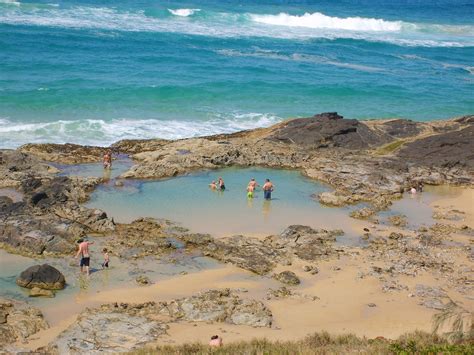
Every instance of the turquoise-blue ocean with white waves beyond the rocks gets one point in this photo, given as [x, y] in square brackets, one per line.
[94, 72]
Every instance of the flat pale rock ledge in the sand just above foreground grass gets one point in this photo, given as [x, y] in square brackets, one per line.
[124, 327]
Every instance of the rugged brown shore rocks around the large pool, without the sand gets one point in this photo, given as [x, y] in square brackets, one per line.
[364, 161]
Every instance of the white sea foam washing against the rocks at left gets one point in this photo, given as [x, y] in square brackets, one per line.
[103, 133]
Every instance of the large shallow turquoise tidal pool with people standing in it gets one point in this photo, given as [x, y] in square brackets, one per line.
[189, 201]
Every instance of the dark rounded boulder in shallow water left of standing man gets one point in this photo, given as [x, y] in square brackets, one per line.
[42, 276]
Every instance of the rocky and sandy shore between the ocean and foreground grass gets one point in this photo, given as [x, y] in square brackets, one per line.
[397, 281]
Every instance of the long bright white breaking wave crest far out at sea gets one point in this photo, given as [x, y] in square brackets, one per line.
[319, 20]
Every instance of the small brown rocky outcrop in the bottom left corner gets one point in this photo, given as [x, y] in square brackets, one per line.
[18, 322]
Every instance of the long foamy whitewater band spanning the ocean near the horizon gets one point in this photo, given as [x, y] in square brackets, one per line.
[227, 25]
